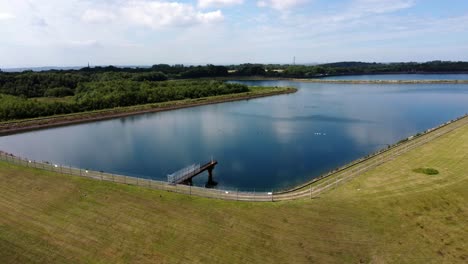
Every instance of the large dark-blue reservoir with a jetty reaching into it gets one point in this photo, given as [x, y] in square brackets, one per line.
[263, 143]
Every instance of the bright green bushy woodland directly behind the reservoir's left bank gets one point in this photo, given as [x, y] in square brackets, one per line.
[114, 93]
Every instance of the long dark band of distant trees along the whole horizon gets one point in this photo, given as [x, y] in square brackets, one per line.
[58, 83]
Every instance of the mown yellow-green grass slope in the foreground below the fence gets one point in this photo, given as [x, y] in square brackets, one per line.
[388, 215]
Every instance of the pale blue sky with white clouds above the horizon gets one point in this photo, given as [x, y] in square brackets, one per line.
[146, 32]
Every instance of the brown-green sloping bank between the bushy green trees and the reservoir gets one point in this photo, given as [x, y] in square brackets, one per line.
[21, 126]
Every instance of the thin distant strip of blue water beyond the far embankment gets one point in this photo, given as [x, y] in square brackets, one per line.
[401, 77]
